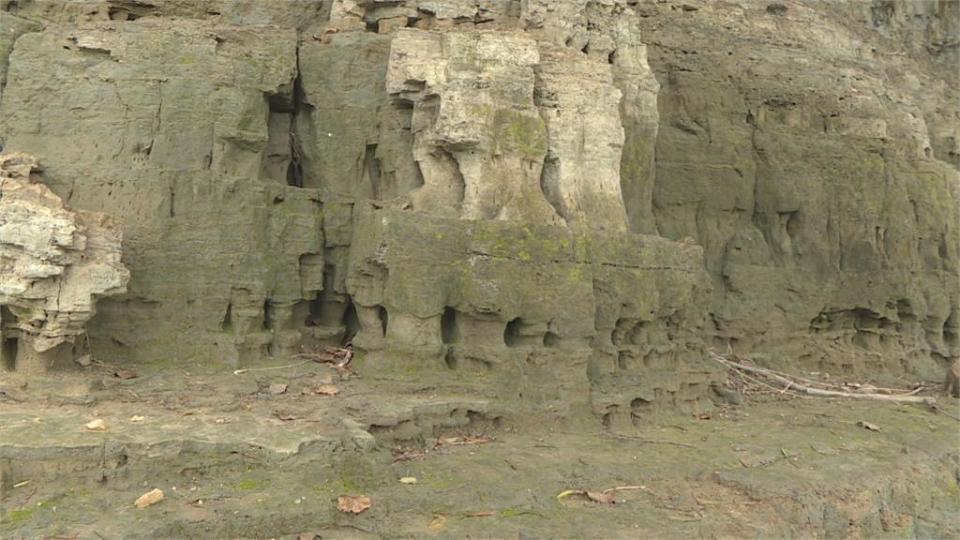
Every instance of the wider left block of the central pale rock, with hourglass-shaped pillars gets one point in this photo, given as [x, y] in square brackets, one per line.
[477, 135]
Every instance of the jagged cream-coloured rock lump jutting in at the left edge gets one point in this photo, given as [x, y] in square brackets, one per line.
[54, 263]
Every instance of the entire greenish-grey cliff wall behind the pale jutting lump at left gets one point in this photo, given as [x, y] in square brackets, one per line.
[562, 202]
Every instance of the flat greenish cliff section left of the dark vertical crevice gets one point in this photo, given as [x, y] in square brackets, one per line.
[176, 141]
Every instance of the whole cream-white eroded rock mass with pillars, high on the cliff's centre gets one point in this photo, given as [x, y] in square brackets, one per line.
[503, 123]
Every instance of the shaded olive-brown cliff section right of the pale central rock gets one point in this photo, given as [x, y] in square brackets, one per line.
[810, 147]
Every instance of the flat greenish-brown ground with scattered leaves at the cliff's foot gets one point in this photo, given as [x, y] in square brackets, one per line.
[237, 457]
